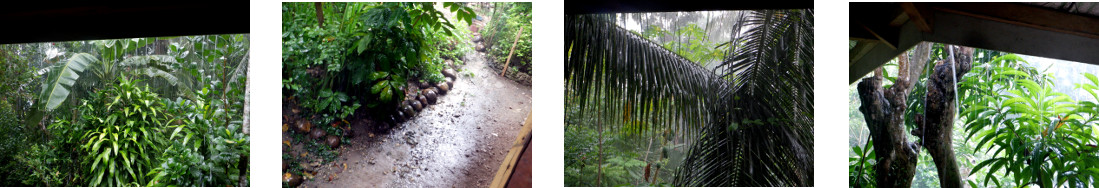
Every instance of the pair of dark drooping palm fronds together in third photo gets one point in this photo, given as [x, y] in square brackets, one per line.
[750, 125]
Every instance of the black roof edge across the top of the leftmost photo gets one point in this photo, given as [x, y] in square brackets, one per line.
[40, 21]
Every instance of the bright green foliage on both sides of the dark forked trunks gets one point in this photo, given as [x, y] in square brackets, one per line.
[1014, 129]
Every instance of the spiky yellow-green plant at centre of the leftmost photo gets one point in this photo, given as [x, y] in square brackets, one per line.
[123, 140]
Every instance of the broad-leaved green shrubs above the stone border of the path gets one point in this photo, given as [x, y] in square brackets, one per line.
[362, 56]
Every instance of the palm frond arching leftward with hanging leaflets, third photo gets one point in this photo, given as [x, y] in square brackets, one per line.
[649, 84]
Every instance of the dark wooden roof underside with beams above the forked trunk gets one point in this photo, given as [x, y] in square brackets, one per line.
[884, 30]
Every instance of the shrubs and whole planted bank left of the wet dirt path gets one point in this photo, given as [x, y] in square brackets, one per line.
[347, 62]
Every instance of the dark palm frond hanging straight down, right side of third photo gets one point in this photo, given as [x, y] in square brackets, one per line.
[771, 104]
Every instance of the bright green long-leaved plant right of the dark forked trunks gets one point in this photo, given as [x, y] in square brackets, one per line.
[1035, 135]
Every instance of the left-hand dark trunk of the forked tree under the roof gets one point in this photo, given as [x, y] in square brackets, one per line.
[884, 110]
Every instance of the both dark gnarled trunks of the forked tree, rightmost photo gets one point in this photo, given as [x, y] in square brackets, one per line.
[885, 116]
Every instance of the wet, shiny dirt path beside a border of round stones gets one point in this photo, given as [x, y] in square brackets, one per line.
[459, 142]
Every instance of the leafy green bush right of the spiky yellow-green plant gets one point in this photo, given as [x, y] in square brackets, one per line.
[201, 147]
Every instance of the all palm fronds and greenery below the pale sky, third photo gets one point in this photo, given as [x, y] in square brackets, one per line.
[641, 115]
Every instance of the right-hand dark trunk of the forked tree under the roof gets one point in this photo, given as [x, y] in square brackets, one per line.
[938, 125]
